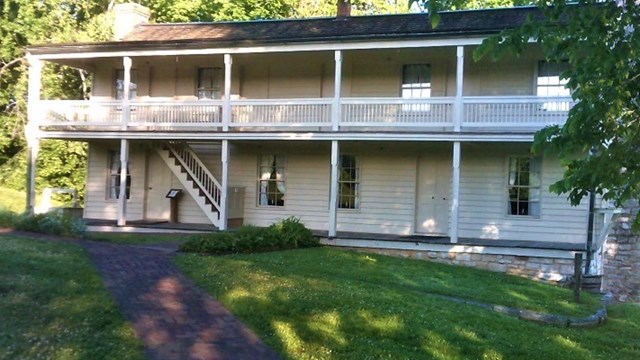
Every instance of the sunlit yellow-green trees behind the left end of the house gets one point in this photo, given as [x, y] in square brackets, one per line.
[24, 23]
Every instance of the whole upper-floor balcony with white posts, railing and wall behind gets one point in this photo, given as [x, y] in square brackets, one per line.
[417, 90]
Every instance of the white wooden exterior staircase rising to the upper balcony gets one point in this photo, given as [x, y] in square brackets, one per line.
[194, 176]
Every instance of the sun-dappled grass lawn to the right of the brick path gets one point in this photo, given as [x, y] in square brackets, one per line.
[326, 303]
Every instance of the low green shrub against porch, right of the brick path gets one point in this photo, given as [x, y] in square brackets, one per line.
[286, 234]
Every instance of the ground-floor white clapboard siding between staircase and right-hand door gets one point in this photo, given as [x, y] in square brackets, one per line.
[386, 203]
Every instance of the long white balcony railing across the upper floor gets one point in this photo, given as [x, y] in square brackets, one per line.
[364, 114]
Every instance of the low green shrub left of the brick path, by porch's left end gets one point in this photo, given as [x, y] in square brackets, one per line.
[53, 223]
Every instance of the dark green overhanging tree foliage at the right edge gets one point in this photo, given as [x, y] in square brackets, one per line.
[600, 142]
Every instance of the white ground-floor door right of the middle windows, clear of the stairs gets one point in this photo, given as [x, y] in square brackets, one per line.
[433, 190]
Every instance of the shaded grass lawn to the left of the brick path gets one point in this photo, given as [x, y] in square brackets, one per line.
[53, 306]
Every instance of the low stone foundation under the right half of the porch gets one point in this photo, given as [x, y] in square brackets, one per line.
[539, 268]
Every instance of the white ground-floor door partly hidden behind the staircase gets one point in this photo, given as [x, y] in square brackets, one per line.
[158, 185]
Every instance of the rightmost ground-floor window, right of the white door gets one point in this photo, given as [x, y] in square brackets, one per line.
[532, 188]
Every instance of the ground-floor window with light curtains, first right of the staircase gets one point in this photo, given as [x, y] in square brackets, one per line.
[271, 180]
